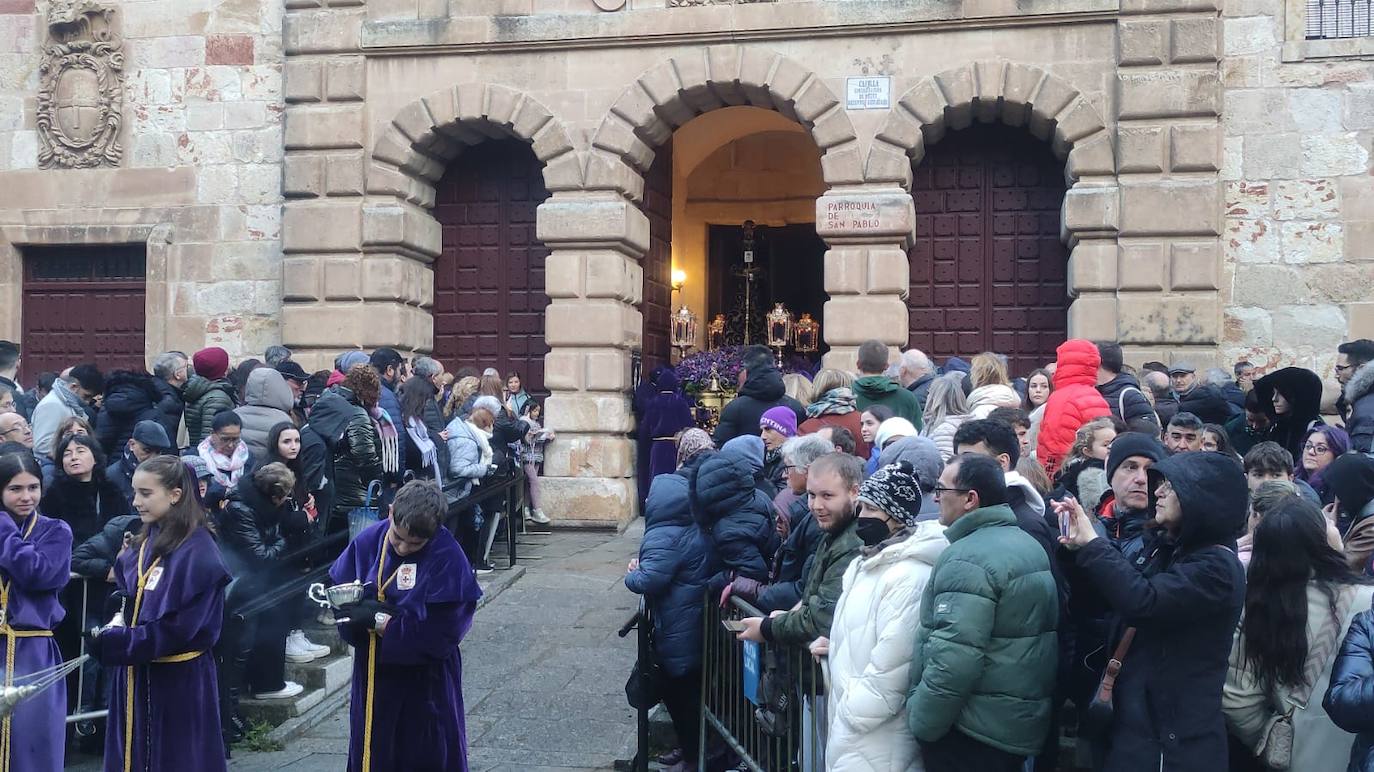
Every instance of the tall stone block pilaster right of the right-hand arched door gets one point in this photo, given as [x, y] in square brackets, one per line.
[1170, 156]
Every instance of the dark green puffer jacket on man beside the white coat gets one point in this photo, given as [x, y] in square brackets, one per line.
[987, 649]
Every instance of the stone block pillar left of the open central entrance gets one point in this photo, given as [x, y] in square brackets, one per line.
[594, 284]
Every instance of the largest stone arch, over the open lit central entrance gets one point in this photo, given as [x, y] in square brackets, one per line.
[677, 91]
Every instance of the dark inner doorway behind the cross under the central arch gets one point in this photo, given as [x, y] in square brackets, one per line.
[791, 262]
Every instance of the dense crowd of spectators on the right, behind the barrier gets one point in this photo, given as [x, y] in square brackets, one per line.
[1171, 565]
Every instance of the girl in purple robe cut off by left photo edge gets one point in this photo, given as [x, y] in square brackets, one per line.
[35, 565]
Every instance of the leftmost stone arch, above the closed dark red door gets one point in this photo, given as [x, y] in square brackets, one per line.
[417, 146]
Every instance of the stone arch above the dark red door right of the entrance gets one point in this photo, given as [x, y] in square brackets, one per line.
[1015, 94]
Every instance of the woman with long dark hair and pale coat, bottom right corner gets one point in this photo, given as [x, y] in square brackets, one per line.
[1300, 598]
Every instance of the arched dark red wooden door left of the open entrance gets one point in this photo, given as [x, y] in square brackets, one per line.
[490, 278]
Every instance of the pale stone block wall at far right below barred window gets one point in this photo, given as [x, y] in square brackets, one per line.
[1299, 198]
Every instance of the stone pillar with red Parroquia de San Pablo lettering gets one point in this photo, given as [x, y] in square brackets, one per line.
[868, 275]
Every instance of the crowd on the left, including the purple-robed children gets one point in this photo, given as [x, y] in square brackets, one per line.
[221, 484]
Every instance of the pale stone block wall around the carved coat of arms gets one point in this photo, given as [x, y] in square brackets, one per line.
[201, 167]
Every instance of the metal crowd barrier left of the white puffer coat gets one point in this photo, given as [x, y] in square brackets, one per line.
[784, 734]
